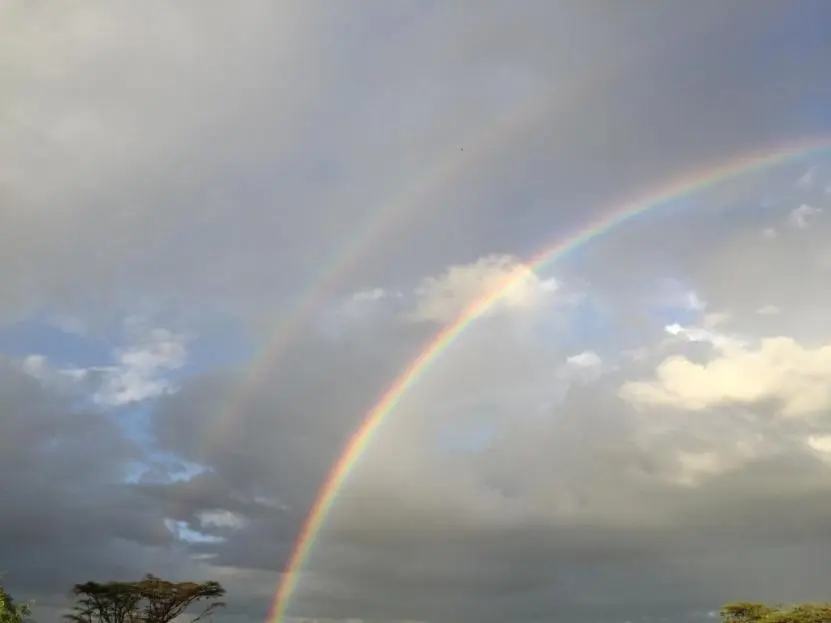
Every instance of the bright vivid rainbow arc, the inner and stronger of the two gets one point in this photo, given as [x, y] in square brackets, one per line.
[678, 187]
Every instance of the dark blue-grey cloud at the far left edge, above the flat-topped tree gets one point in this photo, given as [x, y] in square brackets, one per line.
[67, 516]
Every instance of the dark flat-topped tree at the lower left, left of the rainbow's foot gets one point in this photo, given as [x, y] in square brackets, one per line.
[149, 600]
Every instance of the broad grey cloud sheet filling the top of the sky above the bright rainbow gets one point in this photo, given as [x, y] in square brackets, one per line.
[236, 140]
